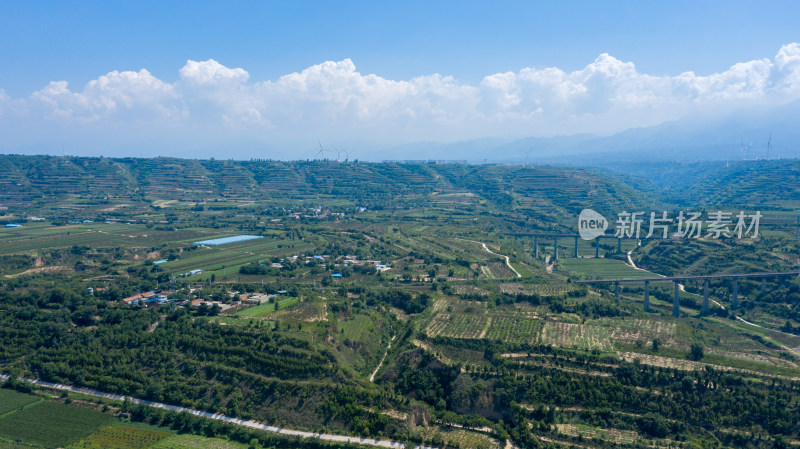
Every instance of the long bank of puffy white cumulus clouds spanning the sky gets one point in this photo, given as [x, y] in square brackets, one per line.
[334, 97]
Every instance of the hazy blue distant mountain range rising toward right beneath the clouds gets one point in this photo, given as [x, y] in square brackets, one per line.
[737, 136]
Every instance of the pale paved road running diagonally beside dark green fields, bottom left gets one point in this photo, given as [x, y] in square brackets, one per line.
[220, 417]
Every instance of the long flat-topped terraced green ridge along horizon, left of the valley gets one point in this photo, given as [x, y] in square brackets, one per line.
[79, 182]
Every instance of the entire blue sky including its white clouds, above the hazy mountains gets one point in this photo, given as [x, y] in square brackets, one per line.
[405, 45]
